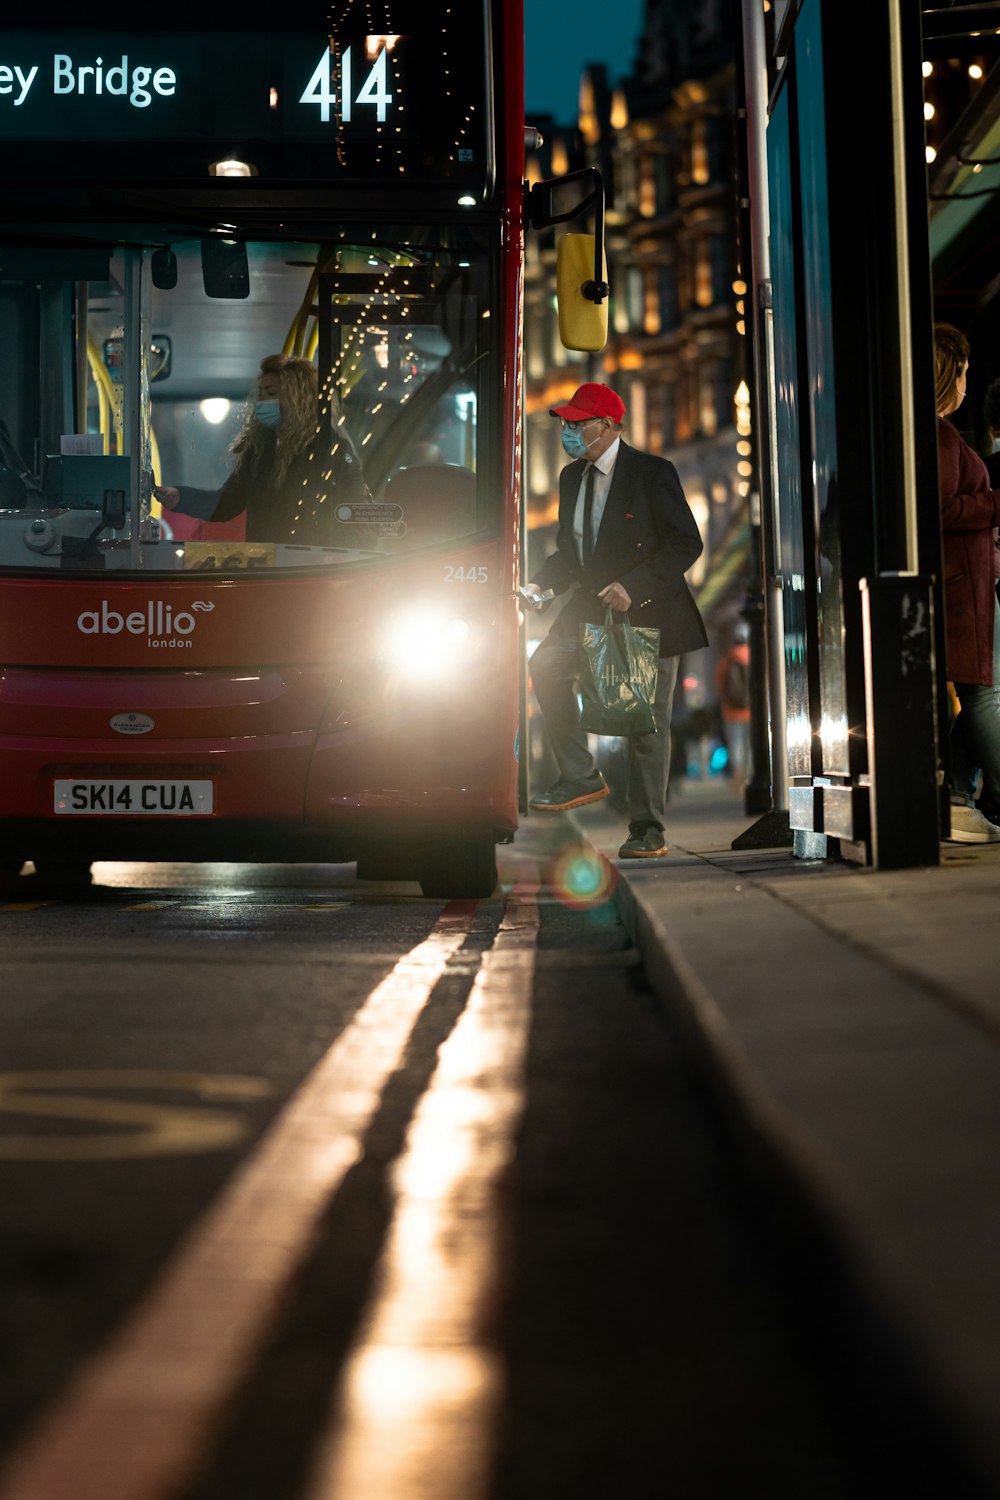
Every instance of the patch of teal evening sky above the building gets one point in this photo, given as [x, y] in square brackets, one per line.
[563, 37]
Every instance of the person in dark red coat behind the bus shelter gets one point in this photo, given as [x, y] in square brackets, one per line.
[971, 512]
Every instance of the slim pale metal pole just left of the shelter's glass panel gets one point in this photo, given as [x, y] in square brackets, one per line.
[756, 95]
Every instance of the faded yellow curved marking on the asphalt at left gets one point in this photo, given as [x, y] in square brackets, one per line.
[139, 1127]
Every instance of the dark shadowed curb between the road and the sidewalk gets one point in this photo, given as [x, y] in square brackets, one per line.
[827, 1247]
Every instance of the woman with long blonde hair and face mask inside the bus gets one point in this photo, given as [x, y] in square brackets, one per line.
[289, 496]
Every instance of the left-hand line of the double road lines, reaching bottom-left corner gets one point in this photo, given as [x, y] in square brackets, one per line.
[134, 1423]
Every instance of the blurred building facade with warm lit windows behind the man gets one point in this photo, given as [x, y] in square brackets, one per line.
[665, 142]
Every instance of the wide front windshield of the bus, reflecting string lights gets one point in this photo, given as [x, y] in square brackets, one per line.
[211, 403]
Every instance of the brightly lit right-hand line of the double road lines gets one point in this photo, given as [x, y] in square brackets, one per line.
[418, 1406]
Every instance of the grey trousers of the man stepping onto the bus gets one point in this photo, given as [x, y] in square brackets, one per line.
[555, 670]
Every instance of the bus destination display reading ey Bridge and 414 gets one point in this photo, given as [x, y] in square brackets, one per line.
[292, 104]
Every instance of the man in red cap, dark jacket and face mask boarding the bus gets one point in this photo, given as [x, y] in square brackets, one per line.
[626, 539]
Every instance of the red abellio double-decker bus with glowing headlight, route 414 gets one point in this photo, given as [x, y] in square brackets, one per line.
[334, 683]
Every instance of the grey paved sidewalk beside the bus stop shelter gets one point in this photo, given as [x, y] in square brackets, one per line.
[851, 1021]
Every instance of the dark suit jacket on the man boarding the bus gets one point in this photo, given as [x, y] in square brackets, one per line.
[647, 542]
